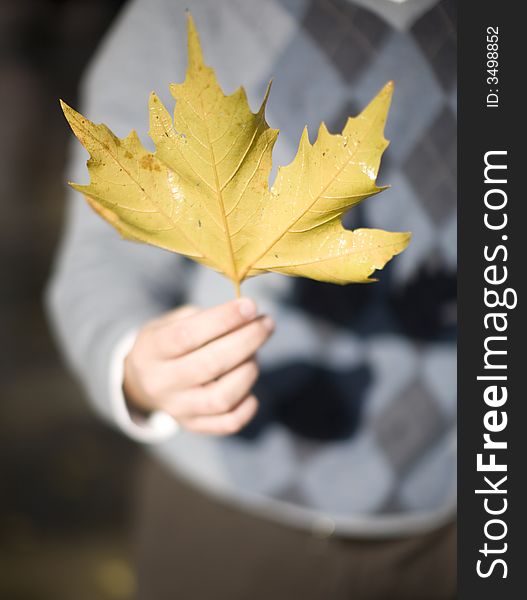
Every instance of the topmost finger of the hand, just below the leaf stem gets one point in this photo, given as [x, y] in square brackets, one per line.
[178, 337]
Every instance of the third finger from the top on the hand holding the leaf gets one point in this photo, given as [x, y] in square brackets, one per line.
[217, 397]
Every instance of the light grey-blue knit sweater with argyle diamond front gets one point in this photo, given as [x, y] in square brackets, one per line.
[356, 431]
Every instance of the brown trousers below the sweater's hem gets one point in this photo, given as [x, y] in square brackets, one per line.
[191, 547]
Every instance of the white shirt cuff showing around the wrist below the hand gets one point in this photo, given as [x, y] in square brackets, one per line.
[158, 426]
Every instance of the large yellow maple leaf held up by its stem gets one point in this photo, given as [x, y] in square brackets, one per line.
[204, 193]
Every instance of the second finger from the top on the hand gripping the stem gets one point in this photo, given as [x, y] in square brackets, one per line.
[222, 355]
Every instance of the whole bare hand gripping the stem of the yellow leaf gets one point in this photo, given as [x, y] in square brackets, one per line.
[199, 366]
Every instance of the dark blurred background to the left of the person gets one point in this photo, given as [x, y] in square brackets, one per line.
[64, 506]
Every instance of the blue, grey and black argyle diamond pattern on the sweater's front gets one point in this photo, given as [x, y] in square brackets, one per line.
[376, 434]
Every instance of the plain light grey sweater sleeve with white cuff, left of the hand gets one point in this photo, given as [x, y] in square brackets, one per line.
[102, 287]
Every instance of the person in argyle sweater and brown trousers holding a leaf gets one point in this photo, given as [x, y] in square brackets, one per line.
[329, 470]
